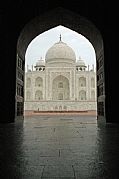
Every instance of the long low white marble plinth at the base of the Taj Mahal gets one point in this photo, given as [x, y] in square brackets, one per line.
[51, 105]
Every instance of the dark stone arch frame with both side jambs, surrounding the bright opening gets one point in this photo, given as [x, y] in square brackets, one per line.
[71, 20]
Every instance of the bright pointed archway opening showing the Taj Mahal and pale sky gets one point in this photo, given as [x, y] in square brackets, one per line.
[64, 70]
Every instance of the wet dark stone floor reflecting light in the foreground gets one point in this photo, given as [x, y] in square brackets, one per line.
[59, 147]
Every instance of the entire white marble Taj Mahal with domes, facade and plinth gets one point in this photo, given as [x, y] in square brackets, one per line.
[60, 82]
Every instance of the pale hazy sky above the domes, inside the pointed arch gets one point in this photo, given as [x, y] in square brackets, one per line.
[39, 46]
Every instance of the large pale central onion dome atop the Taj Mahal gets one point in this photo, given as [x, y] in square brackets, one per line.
[60, 52]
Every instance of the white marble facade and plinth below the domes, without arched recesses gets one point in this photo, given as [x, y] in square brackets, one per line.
[48, 76]
